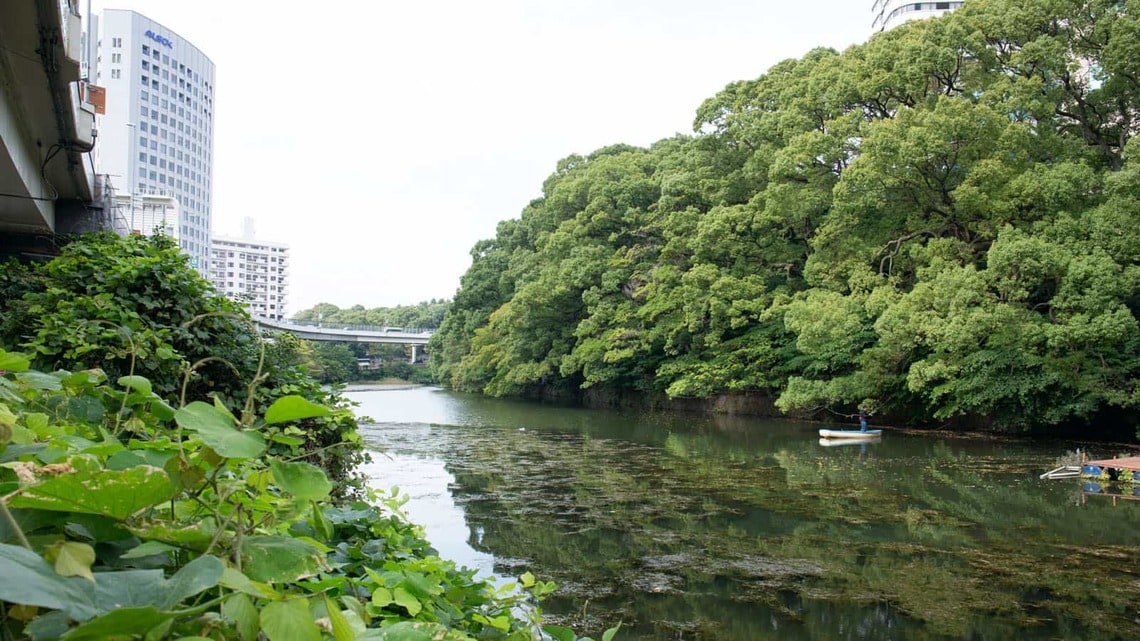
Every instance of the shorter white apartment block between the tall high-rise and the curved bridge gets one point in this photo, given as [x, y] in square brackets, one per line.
[253, 272]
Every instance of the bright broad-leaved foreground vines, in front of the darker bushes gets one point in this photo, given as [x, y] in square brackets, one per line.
[126, 517]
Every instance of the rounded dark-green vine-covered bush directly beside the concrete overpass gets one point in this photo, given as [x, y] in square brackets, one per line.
[129, 306]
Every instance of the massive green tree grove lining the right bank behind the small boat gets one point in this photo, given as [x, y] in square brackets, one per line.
[939, 224]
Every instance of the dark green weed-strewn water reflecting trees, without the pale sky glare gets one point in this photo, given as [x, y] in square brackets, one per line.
[697, 532]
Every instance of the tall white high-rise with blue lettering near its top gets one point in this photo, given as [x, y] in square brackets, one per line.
[157, 139]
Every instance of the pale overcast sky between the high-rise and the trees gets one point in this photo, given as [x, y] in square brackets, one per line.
[382, 140]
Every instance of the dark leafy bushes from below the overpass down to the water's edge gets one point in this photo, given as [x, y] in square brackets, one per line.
[134, 307]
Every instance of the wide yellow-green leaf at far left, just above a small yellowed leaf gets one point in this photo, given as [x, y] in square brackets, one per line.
[111, 493]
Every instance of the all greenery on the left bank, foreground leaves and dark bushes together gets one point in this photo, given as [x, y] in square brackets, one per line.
[166, 473]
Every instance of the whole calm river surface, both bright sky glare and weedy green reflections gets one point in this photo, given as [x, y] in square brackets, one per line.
[701, 529]
